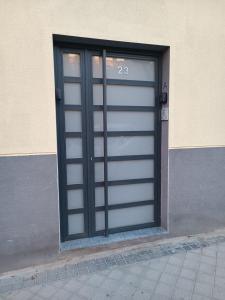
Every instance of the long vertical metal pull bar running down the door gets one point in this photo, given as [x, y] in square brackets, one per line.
[105, 141]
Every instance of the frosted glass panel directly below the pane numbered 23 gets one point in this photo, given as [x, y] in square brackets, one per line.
[124, 95]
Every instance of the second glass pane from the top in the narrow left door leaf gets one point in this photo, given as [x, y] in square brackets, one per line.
[72, 94]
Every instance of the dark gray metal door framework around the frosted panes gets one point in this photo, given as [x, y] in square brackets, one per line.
[88, 135]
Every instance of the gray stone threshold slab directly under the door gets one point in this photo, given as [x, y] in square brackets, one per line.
[112, 238]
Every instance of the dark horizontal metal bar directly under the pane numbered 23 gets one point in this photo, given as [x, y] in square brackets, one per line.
[124, 82]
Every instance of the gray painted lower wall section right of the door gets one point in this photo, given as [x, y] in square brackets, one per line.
[196, 190]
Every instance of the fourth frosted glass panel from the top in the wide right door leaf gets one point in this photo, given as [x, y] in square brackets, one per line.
[125, 145]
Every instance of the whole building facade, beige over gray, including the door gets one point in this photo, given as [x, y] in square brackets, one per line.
[112, 119]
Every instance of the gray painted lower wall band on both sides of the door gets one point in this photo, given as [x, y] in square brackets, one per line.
[29, 217]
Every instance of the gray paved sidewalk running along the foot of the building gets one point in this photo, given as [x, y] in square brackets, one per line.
[178, 268]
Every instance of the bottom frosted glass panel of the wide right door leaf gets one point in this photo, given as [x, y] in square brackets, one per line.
[126, 217]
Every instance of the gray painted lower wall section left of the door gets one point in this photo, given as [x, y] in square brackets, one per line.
[29, 221]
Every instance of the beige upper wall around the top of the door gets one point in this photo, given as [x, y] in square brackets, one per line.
[194, 30]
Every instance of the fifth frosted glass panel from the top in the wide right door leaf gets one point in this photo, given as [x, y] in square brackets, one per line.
[120, 170]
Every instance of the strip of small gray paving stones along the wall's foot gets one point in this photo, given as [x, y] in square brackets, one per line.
[69, 267]
